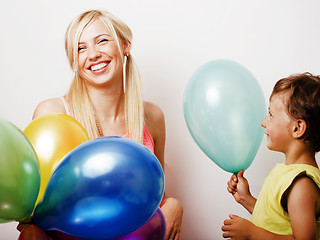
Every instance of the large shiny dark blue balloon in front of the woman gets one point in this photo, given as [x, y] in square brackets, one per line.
[103, 189]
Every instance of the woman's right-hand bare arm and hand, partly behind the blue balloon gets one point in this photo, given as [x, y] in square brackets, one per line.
[170, 207]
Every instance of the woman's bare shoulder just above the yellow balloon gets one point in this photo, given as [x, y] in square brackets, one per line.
[53, 105]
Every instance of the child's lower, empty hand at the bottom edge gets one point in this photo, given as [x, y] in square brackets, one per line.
[236, 228]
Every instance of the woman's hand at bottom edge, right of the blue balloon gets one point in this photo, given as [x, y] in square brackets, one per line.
[172, 211]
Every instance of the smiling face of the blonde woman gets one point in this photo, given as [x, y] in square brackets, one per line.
[99, 57]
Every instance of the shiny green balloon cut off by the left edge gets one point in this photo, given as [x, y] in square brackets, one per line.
[19, 174]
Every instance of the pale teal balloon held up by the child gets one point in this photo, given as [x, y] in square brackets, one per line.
[223, 107]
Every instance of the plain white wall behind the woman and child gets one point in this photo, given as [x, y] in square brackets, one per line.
[273, 39]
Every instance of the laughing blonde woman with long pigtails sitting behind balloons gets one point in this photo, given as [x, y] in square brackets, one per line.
[105, 94]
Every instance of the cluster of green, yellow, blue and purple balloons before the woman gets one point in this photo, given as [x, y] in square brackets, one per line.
[75, 188]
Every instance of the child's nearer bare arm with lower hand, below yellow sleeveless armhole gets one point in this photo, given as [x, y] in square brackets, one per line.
[302, 200]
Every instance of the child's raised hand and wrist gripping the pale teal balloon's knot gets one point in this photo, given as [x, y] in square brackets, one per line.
[239, 188]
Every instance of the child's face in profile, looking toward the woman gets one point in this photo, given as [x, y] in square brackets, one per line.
[278, 124]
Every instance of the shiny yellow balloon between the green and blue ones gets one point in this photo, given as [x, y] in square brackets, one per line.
[53, 136]
